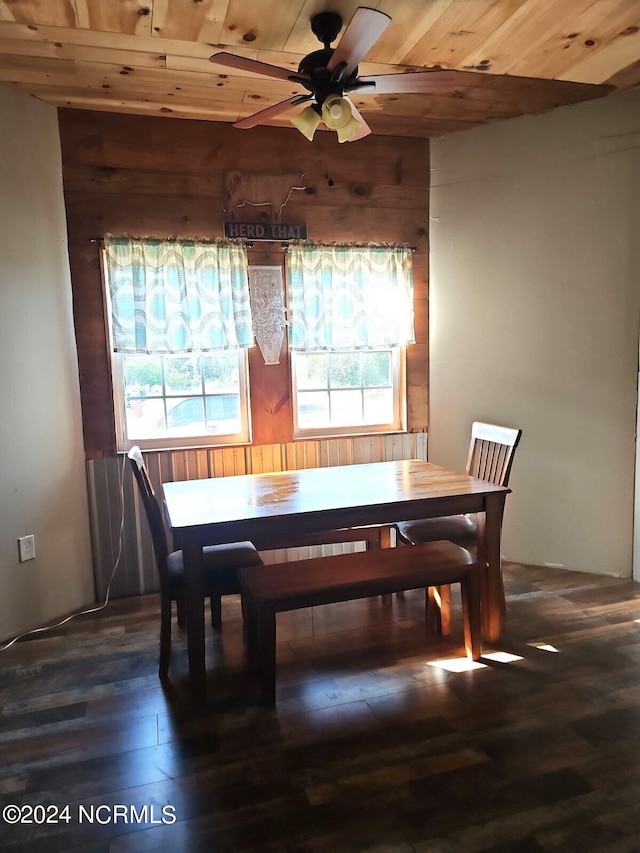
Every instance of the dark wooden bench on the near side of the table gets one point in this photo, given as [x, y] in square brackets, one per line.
[272, 589]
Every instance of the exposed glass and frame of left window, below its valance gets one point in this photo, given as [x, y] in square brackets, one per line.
[169, 400]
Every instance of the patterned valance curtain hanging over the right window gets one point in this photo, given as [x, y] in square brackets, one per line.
[348, 297]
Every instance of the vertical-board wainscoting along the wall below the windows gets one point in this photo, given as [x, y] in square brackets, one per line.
[123, 537]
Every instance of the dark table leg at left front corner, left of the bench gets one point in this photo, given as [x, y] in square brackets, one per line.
[194, 599]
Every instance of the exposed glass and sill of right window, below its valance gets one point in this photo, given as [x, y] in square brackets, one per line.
[348, 391]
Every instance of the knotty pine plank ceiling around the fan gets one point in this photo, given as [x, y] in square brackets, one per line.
[151, 56]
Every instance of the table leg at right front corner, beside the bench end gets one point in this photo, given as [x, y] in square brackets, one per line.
[489, 550]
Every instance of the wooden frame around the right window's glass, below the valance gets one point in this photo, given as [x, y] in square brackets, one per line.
[399, 386]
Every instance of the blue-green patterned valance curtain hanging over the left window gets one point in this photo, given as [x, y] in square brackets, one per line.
[175, 296]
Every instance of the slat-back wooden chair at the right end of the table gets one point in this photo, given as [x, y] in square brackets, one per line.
[491, 454]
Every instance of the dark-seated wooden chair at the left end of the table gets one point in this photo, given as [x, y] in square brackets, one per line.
[221, 565]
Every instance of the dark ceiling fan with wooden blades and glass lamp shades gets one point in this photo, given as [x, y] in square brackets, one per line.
[330, 74]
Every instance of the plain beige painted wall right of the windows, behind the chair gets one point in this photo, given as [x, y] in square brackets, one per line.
[535, 306]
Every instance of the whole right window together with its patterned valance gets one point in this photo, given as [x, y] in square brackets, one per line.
[350, 316]
